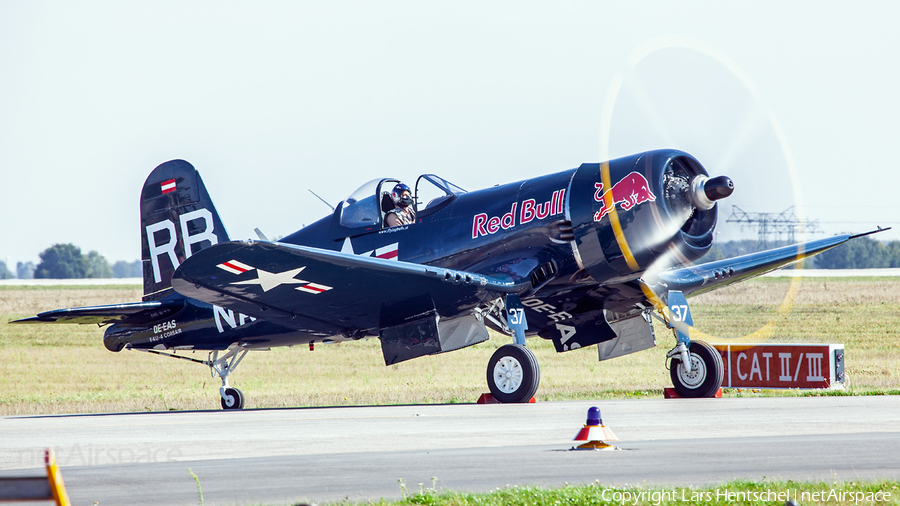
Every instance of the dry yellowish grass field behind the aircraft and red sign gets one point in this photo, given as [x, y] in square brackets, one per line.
[66, 369]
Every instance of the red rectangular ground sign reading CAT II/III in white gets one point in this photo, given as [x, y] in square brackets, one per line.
[782, 365]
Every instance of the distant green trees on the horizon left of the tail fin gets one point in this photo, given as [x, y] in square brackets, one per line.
[66, 261]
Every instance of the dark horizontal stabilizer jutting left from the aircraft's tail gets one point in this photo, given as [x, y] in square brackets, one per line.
[136, 312]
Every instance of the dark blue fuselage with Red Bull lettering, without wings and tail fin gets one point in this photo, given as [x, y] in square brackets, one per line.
[563, 237]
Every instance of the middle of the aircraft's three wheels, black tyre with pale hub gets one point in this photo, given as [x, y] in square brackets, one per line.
[513, 374]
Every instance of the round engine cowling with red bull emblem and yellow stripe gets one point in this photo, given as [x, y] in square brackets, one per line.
[628, 213]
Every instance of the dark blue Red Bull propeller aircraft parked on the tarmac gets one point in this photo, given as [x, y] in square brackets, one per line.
[582, 257]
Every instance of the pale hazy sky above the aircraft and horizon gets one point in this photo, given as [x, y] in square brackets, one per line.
[270, 99]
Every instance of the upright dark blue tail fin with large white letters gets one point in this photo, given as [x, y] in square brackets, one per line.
[178, 219]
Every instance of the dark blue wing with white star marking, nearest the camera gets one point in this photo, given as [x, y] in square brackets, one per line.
[300, 286]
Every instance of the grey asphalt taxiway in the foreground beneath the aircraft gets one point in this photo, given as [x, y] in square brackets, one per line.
[284, 456]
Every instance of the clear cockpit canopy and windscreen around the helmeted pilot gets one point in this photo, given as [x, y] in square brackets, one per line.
[366, 206]
